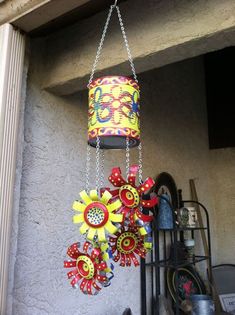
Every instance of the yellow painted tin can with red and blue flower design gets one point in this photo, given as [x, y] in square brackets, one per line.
[114, 112]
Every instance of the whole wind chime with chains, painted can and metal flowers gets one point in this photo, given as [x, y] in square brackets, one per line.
[112, 220]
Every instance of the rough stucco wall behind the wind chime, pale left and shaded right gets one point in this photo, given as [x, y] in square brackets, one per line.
[174, 139]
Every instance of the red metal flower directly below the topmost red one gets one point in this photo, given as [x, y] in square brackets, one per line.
[126, 245]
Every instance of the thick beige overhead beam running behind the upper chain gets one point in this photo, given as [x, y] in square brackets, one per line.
[159, 33]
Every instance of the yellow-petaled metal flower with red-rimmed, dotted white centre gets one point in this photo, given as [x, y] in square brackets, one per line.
[97, 215]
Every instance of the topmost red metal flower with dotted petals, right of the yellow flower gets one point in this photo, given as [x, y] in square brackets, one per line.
[131, 195]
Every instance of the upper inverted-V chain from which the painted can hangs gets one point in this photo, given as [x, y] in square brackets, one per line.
[98, 53]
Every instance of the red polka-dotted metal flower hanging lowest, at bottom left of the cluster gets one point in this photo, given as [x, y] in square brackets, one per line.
[90, 268]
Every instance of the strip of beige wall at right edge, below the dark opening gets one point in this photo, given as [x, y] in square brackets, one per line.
[222, 170]
